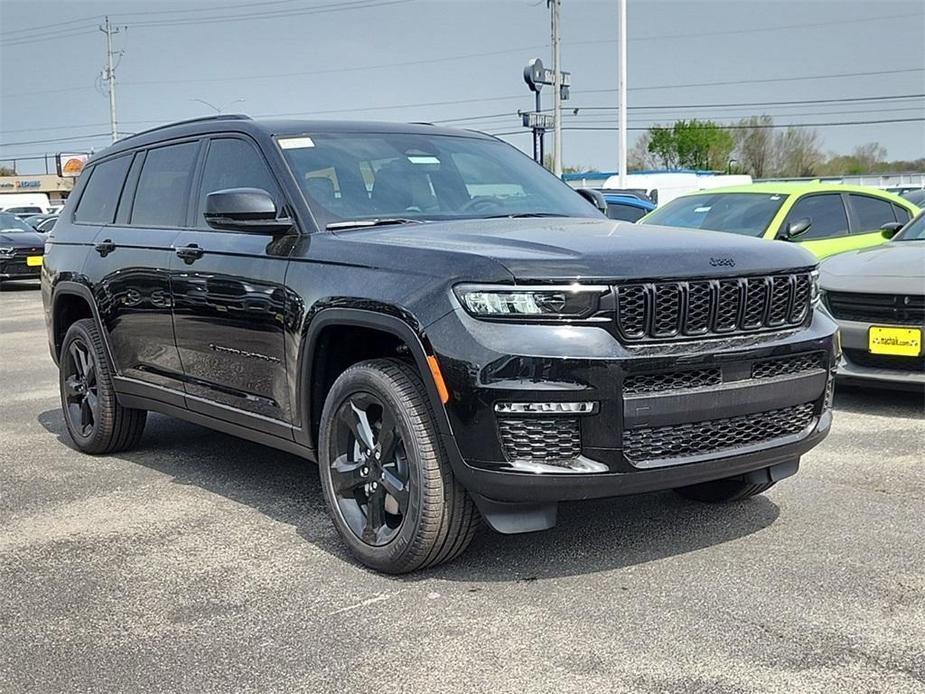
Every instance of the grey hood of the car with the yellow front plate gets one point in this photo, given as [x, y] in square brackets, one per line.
[897, 267]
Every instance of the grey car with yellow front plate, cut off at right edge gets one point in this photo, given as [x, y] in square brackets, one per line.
[877, 295]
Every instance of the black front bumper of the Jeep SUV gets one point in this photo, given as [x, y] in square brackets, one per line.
[683, 420]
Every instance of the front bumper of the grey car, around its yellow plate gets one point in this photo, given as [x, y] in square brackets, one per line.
[857, 367]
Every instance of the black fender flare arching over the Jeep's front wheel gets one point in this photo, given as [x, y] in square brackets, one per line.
[417, 344]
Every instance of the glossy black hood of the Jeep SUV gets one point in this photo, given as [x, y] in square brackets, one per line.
[577, 248]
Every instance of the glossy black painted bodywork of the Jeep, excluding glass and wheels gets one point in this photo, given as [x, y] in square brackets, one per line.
[225, 327]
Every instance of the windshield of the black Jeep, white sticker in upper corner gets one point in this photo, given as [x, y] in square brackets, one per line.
[401, 176]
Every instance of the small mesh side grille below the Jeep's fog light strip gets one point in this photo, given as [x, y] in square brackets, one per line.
[547, 440]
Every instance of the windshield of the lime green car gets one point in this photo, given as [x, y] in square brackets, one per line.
[738, 213]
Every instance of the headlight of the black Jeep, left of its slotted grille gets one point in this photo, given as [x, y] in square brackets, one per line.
[569, 301]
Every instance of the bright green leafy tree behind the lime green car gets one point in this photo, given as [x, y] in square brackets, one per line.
[692, 144]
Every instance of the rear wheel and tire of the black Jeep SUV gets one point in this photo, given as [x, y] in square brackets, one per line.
[95, 420]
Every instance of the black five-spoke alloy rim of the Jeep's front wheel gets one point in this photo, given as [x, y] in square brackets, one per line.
[369, 472]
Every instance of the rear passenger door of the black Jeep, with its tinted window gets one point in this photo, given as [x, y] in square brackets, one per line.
[129, 265]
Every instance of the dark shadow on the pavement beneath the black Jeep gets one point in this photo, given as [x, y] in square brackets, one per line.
[591, 536]
